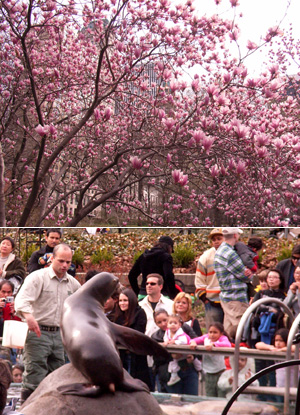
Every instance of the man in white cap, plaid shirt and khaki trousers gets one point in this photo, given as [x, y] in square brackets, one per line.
[233, 277]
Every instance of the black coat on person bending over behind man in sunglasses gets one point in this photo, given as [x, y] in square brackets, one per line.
[157, 261]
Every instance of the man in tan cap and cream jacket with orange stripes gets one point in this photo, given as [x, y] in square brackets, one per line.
[206, 282]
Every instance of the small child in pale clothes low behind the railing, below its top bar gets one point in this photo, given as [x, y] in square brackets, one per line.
[245, 372]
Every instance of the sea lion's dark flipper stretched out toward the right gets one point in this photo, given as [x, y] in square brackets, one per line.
[137, 342]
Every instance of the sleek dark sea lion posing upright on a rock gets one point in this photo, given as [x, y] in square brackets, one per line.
[90, 340]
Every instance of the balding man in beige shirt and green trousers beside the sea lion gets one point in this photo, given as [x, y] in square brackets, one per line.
[40, 302]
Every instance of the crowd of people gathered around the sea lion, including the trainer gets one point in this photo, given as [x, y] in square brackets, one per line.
[227, 280]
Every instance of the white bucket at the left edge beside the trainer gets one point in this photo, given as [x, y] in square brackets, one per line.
[14, 334]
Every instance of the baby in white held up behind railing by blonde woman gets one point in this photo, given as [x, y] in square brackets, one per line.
[175, 335]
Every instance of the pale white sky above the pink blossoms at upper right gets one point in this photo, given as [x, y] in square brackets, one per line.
[257, 17]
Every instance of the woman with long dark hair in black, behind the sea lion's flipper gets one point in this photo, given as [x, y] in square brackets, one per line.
[128, 313]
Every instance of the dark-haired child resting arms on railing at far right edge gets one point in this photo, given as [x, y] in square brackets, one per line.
[280, 345]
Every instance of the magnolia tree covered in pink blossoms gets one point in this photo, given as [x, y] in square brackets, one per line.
[96, 105]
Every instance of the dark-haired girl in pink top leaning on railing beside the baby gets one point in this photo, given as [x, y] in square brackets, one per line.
[213, 365]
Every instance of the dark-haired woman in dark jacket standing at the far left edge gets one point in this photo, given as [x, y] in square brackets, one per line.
[11, 267]
